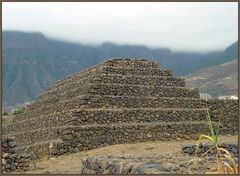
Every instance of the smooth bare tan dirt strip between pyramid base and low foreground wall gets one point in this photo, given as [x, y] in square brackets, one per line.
[71, 164]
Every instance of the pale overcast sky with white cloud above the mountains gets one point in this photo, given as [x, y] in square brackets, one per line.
[178, 26]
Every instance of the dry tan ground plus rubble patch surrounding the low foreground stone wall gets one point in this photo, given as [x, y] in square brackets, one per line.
[168, 154]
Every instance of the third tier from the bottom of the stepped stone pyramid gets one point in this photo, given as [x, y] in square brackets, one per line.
[112, 102]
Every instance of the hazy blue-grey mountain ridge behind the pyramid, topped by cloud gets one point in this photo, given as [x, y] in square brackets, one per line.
[31, 61]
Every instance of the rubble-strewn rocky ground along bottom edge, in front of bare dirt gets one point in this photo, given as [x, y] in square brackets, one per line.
[176, 163]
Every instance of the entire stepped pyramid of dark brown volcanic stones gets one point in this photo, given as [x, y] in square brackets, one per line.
[117, 101]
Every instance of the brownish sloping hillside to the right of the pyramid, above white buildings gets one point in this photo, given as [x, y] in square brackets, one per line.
[216, 80]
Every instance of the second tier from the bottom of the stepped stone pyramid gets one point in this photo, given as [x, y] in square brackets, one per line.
[88, 117]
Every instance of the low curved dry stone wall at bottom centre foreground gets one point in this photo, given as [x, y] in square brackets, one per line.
[123, 166]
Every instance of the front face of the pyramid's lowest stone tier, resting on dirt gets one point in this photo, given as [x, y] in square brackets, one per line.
[79, 138]
